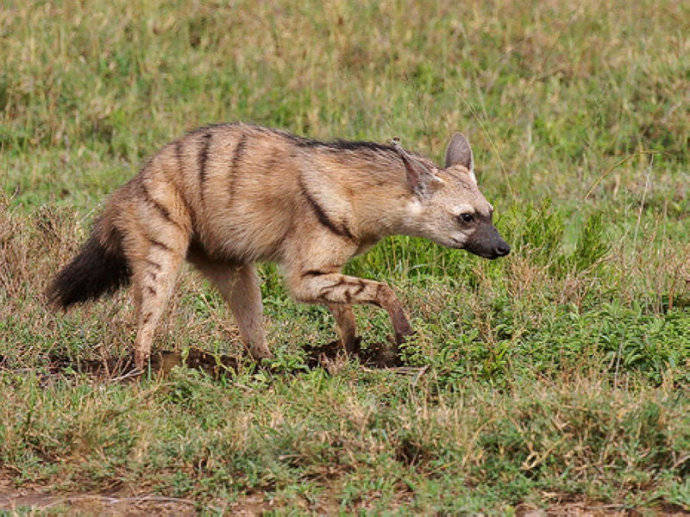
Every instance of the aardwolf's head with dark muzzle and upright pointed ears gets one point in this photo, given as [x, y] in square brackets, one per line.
[447, 206]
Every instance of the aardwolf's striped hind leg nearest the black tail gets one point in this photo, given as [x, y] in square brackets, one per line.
[153, 273]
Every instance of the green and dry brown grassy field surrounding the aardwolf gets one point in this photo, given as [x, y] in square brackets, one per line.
[558, 377]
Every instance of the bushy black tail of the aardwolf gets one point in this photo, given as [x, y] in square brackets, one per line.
[100, 267]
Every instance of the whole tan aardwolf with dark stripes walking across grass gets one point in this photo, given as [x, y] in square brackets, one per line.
[227, 196]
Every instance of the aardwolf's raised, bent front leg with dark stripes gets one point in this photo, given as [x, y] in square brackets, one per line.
[313, 286]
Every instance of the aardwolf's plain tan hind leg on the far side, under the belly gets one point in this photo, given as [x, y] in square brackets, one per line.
[239, 285]
